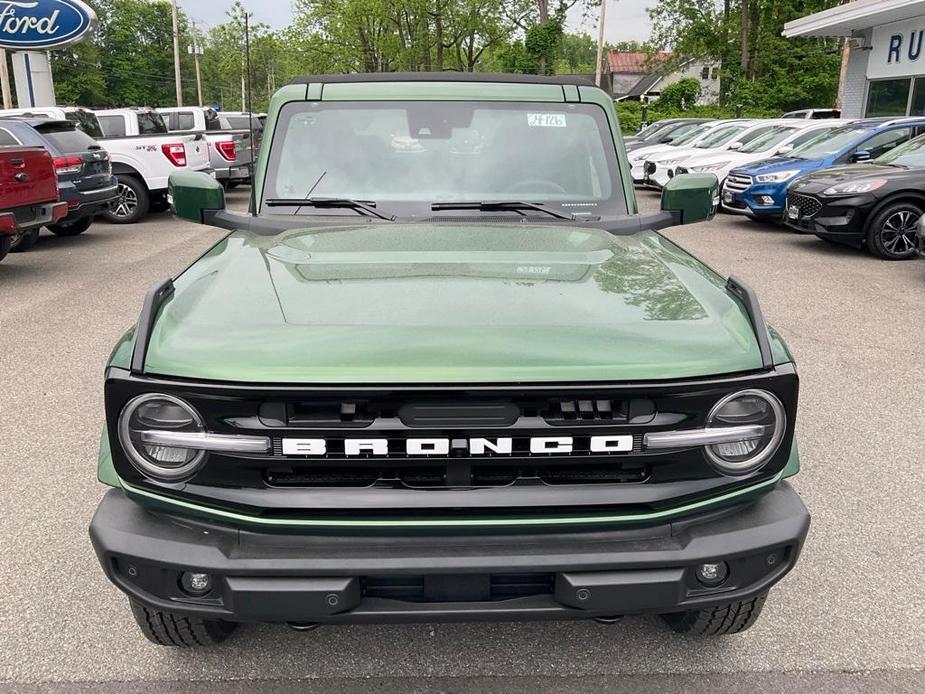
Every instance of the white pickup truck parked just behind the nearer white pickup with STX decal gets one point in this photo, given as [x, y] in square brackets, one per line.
[232, 154]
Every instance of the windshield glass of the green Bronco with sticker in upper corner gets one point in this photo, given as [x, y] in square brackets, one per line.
[414, 154]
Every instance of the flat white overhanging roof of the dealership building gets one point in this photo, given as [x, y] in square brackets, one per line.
[845, 19]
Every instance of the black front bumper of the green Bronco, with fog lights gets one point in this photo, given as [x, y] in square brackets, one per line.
[263, 577]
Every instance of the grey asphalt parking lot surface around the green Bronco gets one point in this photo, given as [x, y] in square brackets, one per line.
[851, 617]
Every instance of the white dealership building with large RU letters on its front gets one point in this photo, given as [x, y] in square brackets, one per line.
[883, 67]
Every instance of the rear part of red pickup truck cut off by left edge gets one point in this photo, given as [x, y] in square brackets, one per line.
[28, 193]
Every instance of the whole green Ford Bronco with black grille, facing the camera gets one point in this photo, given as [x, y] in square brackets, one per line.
[444, 369]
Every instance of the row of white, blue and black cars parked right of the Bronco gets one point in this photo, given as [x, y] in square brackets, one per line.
[856, 182]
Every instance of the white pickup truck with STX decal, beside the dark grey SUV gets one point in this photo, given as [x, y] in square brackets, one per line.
[144, 154]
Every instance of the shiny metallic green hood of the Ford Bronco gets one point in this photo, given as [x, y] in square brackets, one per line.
[442, 303]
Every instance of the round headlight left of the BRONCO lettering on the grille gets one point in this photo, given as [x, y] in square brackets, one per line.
[159, 412]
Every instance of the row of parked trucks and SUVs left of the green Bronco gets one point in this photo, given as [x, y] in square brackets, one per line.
[112, 163]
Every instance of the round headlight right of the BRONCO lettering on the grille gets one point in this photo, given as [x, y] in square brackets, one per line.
[757, 408]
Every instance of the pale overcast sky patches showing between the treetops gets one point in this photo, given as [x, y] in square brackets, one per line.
[626, 19]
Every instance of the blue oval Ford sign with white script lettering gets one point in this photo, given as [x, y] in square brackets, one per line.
[38, 25]
